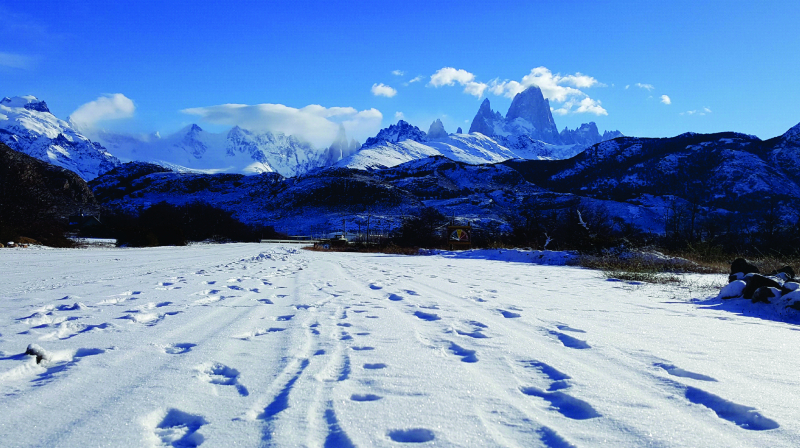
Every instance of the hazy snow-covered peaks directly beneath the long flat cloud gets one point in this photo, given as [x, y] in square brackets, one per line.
[237, 151]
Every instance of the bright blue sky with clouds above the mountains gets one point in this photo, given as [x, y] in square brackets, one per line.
[724, 65]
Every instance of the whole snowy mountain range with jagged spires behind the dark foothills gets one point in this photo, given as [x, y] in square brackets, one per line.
[527, 132]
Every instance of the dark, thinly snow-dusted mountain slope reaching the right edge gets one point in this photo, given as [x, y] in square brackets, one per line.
[728, 170]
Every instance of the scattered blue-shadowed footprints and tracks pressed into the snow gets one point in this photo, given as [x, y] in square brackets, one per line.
[178, 428]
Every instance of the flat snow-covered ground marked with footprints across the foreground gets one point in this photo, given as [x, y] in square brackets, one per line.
[266, 345]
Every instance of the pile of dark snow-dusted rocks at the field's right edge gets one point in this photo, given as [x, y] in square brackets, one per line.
[746, 282]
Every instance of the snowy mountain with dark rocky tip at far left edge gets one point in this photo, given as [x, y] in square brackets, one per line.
[26, 125]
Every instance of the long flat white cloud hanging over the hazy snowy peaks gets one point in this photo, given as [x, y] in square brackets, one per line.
[314, 123]
